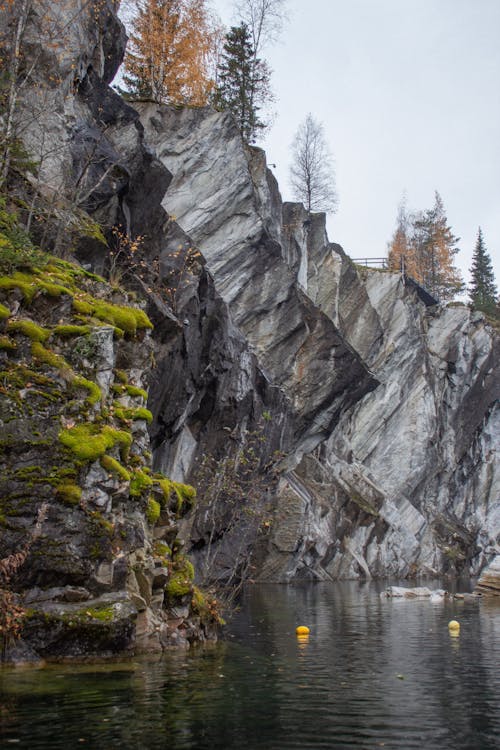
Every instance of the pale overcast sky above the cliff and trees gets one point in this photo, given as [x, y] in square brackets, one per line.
[408, 92]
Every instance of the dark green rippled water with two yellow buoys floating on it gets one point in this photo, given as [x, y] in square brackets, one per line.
[373, 673]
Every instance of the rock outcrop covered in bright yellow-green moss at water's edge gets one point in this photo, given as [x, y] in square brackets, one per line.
[73, 433]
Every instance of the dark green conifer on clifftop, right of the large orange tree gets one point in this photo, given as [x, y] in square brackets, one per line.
[243, 82]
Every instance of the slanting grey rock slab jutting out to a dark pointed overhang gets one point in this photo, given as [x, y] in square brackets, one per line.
[224, 198]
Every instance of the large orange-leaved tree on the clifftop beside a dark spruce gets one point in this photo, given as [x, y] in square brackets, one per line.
[169, 49]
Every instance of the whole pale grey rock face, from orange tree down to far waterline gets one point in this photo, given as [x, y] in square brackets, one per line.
[405, 480]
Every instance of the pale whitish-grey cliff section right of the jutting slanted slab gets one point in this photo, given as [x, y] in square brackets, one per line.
[417, 454]
